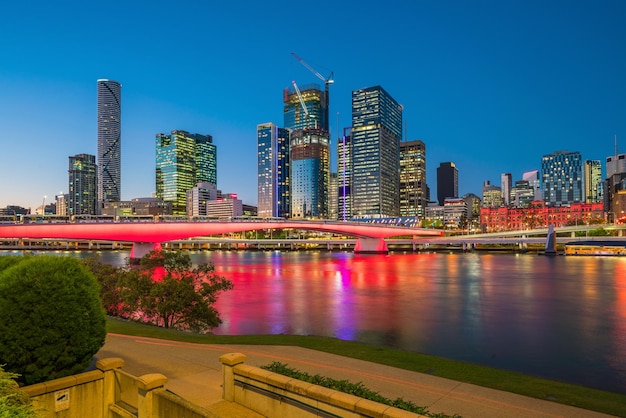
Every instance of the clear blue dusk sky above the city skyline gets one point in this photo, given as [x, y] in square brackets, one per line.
[490, 85]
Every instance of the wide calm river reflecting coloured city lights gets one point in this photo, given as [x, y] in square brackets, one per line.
[562, 318]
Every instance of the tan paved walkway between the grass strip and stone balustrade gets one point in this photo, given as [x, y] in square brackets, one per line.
[195, 373]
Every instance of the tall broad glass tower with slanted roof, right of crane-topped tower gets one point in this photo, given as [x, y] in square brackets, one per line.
[376, 134]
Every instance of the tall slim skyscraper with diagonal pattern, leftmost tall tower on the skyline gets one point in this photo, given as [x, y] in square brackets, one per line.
[109, 141]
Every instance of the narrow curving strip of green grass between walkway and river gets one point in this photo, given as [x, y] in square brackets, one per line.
[586, 398]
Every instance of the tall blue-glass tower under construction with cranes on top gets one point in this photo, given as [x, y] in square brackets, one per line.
[309, 153]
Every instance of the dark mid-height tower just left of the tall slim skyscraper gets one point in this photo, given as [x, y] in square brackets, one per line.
[82, 198]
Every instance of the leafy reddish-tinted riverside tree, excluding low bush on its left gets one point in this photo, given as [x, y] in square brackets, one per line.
[168, 291]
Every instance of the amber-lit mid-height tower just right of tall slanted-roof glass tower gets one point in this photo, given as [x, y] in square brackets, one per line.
[413, 190]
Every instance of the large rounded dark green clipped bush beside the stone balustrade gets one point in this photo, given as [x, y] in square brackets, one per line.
[51, 319]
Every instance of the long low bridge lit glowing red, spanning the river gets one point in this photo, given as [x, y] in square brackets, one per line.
[147, 236]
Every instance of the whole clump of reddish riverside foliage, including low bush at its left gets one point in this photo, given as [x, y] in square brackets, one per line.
[165, 289]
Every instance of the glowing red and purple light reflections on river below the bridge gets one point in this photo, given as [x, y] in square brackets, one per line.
[339, 296]
